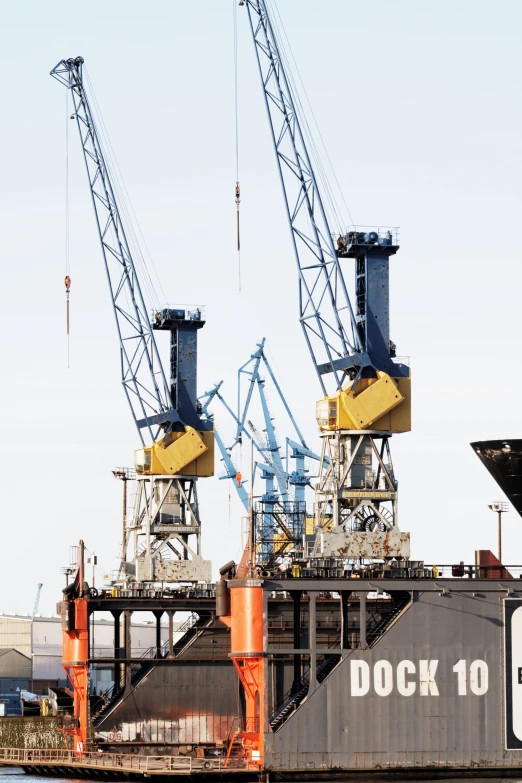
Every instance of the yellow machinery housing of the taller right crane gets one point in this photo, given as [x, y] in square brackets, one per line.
[382, 402]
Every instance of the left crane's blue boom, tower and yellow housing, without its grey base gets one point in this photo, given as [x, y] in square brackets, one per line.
[173, 435]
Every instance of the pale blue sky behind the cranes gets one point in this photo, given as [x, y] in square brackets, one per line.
[419, 106]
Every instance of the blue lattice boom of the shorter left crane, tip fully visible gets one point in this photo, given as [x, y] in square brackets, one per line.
[142, 375]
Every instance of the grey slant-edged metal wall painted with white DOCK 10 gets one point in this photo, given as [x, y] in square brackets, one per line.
[335, 728]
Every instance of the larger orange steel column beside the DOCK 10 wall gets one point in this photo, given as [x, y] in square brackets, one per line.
[247, 652]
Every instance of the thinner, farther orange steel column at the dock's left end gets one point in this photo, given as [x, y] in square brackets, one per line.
[75, 656]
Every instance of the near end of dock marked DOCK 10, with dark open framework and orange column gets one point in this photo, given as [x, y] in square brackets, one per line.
[434, 682]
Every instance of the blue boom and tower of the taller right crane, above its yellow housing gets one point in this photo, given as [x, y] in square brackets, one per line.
[342, 338]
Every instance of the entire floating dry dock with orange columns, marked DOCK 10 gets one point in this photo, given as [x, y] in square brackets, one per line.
[392, 671]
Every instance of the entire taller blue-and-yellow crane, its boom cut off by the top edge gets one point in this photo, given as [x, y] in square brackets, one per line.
[366, 391]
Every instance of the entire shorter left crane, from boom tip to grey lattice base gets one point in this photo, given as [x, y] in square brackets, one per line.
[177, 445]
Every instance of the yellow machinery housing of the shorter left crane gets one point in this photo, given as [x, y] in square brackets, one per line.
[178, 453]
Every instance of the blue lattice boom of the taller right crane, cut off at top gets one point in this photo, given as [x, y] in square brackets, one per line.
[325, 310]
